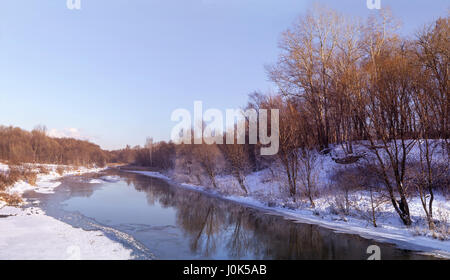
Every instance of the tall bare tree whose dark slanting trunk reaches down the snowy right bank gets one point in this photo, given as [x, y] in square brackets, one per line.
[389, 112]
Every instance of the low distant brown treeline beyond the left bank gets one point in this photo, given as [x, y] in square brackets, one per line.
[21, 146]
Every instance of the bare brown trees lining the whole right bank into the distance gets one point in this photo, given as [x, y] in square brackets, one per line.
[343, 81]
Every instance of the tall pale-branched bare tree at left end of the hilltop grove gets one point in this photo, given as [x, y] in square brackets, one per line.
[305, 65]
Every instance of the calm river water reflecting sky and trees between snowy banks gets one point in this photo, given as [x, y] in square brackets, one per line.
[161, 221]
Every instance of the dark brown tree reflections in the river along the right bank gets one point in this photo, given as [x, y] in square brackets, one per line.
[211, 223]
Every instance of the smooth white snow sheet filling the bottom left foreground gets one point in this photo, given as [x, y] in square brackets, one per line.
[30, 234]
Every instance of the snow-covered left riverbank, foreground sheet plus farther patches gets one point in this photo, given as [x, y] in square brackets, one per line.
[26, 232]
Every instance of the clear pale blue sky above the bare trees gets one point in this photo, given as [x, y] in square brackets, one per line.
[114, 71]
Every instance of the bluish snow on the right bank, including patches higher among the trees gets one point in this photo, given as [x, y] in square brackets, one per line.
[266, 192]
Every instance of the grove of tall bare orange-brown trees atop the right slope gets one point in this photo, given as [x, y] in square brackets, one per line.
[358, 81]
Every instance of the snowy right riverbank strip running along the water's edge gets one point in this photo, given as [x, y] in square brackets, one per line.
[263, 195]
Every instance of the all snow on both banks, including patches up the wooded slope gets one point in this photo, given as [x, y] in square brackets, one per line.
[265, 192]
